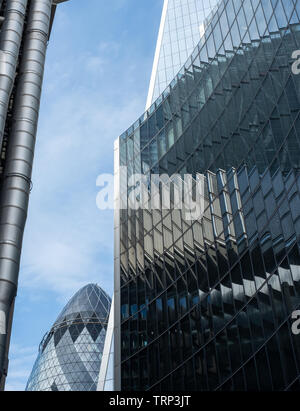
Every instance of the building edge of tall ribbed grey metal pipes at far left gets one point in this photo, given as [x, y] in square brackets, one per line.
[25, 27]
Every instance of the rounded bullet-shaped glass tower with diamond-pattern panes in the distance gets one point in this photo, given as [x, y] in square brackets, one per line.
[70, 354]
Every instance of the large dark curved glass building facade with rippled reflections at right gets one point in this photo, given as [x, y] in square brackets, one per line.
[207, 304]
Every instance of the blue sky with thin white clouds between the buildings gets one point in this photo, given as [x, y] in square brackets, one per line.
[96, 81]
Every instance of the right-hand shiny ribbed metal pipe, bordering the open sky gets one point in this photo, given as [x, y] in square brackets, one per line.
[15, 191]
